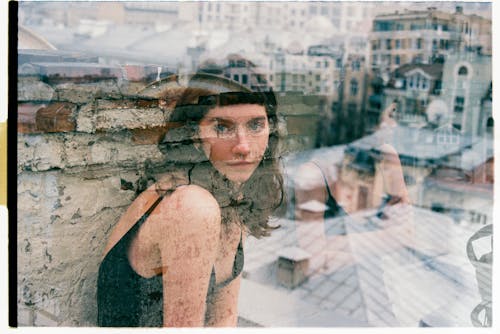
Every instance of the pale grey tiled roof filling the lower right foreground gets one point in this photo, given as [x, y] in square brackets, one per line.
[382, 282]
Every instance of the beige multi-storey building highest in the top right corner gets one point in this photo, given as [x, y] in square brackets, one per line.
[422, 36]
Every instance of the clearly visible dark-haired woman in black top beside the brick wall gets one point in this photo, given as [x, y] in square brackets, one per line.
[175, 257]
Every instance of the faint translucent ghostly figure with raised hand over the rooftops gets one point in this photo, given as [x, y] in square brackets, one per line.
[326, 191]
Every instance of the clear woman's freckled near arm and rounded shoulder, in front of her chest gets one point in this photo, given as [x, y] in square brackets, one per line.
[187, 236]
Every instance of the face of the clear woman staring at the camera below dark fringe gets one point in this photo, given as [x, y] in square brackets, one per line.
[234, 138]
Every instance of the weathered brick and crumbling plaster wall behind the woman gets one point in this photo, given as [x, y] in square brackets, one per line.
[86, 141]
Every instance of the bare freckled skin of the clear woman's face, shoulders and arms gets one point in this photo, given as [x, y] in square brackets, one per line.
[183, 237]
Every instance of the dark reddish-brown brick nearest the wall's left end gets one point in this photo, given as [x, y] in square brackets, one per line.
[56, 117]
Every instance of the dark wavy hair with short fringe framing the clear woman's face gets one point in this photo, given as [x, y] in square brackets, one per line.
[263, 193]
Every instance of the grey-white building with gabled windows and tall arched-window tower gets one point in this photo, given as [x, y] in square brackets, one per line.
[456, 91]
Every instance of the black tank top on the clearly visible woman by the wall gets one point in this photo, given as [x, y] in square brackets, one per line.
[126, 299]
